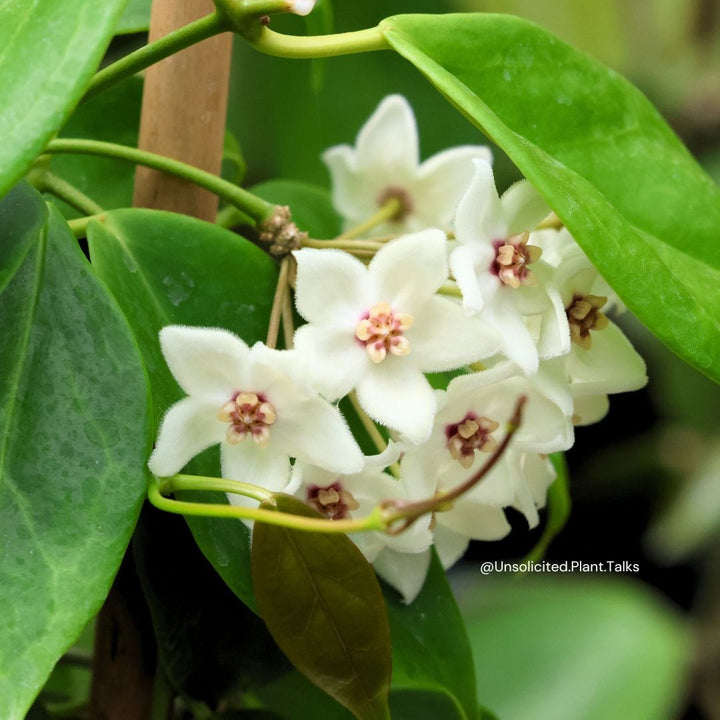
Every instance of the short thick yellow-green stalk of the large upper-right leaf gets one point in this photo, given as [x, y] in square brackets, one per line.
[318, 46]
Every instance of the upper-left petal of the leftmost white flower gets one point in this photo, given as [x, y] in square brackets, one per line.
[204, 361]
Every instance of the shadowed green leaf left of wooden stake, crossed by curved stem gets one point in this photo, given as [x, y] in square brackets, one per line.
[112, 116]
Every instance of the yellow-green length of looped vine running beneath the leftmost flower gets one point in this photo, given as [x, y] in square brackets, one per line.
[295, 522]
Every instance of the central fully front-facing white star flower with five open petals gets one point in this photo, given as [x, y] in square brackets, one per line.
[378, 329]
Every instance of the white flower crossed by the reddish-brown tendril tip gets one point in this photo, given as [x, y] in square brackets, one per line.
[470, 423]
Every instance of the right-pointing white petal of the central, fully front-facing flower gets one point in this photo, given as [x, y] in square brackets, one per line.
[444, 336]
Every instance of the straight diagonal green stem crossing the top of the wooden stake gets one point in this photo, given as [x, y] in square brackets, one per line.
[170, 44]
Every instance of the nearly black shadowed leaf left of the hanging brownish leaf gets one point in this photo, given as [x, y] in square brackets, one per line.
[209, 642]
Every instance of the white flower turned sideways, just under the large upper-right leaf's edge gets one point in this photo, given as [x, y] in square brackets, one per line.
[497, 269]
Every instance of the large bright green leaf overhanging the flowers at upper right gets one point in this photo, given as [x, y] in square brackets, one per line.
[602, 156]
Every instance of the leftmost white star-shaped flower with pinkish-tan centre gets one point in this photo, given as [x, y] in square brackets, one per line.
[254, 403]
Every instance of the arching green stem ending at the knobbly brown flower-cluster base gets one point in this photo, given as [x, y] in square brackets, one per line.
[257, 208]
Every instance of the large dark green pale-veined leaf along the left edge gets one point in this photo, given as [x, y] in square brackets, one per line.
[74, 437]
